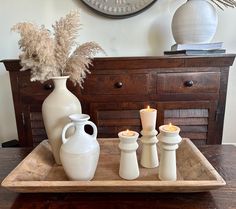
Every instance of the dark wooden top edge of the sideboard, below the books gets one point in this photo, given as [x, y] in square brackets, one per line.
[222, 60]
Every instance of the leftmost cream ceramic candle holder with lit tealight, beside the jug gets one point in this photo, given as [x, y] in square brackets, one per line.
[128, 145]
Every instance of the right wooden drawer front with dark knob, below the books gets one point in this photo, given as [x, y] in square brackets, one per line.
[201, 82]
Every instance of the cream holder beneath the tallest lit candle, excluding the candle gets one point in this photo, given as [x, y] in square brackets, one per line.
[149, 157]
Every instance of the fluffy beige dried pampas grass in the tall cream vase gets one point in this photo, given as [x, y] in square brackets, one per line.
[48, 55]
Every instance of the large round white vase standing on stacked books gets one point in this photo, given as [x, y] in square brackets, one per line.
[194, 22]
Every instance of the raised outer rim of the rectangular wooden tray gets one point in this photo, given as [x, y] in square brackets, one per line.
[96, 186]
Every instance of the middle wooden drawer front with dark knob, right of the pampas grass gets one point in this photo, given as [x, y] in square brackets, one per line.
[117, 84]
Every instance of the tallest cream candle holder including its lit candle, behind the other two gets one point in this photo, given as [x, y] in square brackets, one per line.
[149, 156]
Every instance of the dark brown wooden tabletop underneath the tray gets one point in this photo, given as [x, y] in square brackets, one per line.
[222, 157]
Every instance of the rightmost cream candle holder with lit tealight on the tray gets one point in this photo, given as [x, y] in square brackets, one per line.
[169, 139]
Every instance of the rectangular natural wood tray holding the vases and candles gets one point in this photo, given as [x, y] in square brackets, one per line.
[38, 173]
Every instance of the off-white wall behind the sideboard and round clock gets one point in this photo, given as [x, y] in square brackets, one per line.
[149, 33]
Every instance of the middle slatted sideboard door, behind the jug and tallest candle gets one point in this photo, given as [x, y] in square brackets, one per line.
[111, 118]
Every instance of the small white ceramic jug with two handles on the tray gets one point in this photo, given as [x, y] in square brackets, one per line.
[79, 153]
